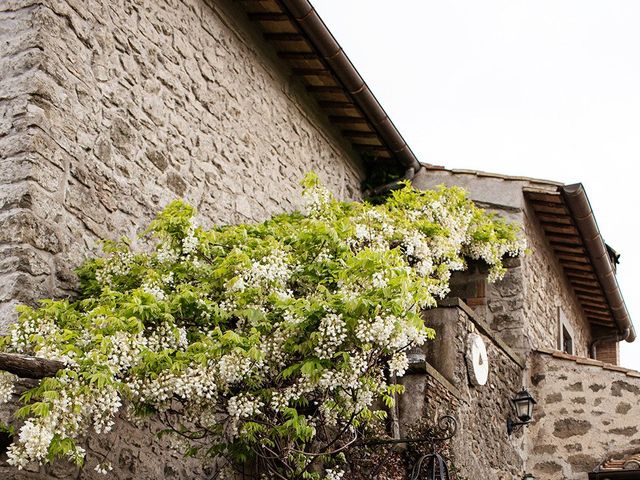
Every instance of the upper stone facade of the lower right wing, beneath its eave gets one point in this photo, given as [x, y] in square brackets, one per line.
[526, 307]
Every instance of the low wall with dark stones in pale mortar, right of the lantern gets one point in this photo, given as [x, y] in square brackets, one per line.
[587, 412]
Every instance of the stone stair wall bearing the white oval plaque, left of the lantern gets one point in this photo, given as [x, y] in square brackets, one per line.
[482, 447]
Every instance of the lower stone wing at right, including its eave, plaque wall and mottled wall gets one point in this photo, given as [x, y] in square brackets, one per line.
[553, 325]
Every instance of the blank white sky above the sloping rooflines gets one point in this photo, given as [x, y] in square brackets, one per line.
[540, 88]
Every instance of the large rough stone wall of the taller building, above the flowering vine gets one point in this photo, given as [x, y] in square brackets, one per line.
[110, 109]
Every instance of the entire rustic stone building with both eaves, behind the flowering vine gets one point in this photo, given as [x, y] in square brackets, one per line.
[110, 109]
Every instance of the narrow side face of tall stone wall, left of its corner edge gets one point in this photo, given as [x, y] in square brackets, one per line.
[25, 245]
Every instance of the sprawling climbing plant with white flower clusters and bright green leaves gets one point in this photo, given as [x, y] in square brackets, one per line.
[274, 345]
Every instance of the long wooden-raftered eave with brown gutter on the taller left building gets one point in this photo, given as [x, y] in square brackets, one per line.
[303, 42]
